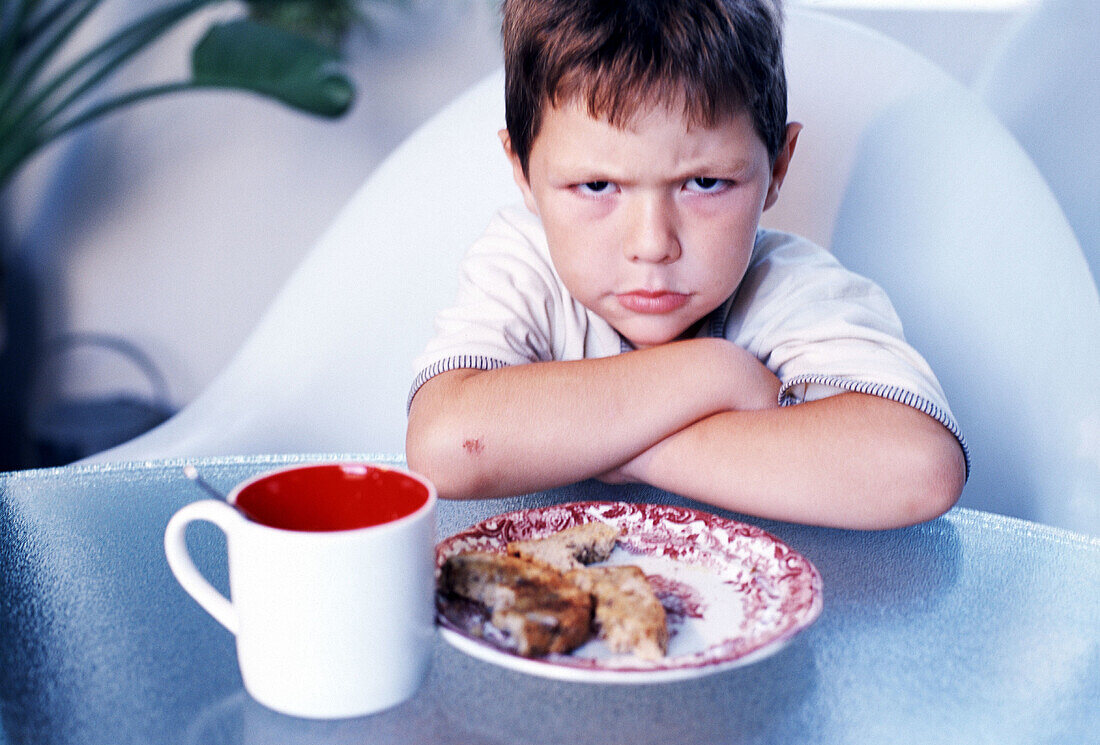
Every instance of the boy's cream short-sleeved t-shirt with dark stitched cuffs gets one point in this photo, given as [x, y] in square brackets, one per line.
[820, 328]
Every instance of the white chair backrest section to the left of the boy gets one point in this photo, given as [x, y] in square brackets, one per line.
[329, 366]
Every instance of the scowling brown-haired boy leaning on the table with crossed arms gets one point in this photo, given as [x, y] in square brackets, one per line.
[635, 325]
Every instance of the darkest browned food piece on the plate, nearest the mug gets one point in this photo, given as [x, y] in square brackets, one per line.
[534, 607]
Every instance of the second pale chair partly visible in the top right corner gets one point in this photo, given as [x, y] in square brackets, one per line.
[1044, 85]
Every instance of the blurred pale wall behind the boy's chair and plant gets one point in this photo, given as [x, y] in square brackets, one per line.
[173, 225]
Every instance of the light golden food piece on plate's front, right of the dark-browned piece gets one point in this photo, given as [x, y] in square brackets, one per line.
[630, 618]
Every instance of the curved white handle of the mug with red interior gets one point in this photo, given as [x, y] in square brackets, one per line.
[180, 560]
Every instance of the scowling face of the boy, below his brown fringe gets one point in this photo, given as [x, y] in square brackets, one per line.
[652, 226]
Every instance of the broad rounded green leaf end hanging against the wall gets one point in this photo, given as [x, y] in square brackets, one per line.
[254, 57]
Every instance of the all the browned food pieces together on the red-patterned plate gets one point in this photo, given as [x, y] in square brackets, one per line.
[542, 598]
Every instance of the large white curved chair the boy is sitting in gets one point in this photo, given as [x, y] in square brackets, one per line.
[900, 171]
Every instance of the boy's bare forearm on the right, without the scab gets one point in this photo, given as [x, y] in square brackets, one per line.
[851, 462]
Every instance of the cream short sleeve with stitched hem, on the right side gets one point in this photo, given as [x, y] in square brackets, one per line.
[824, 331]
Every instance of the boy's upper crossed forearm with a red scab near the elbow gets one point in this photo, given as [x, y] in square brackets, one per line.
[536, 426]
